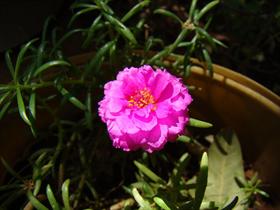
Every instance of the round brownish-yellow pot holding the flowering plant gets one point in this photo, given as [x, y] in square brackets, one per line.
[228, 99]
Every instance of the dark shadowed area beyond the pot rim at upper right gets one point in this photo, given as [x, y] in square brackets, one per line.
[251, 30]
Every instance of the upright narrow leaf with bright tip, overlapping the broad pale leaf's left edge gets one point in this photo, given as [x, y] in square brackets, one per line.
[201, 182]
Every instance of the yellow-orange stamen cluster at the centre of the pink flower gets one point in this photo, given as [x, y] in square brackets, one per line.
[141, 99]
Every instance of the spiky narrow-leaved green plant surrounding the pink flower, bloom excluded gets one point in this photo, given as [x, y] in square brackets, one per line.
[46, 83]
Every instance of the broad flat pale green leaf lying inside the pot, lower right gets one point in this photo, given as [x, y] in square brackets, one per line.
[225, 164]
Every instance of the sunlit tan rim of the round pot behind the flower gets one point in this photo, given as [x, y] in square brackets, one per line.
[221, 74]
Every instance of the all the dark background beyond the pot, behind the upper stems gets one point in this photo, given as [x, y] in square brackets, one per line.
[250, 29]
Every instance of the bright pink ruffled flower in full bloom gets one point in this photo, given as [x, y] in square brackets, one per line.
[144, 108]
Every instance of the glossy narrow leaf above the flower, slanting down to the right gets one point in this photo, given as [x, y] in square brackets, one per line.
[121, 28]
